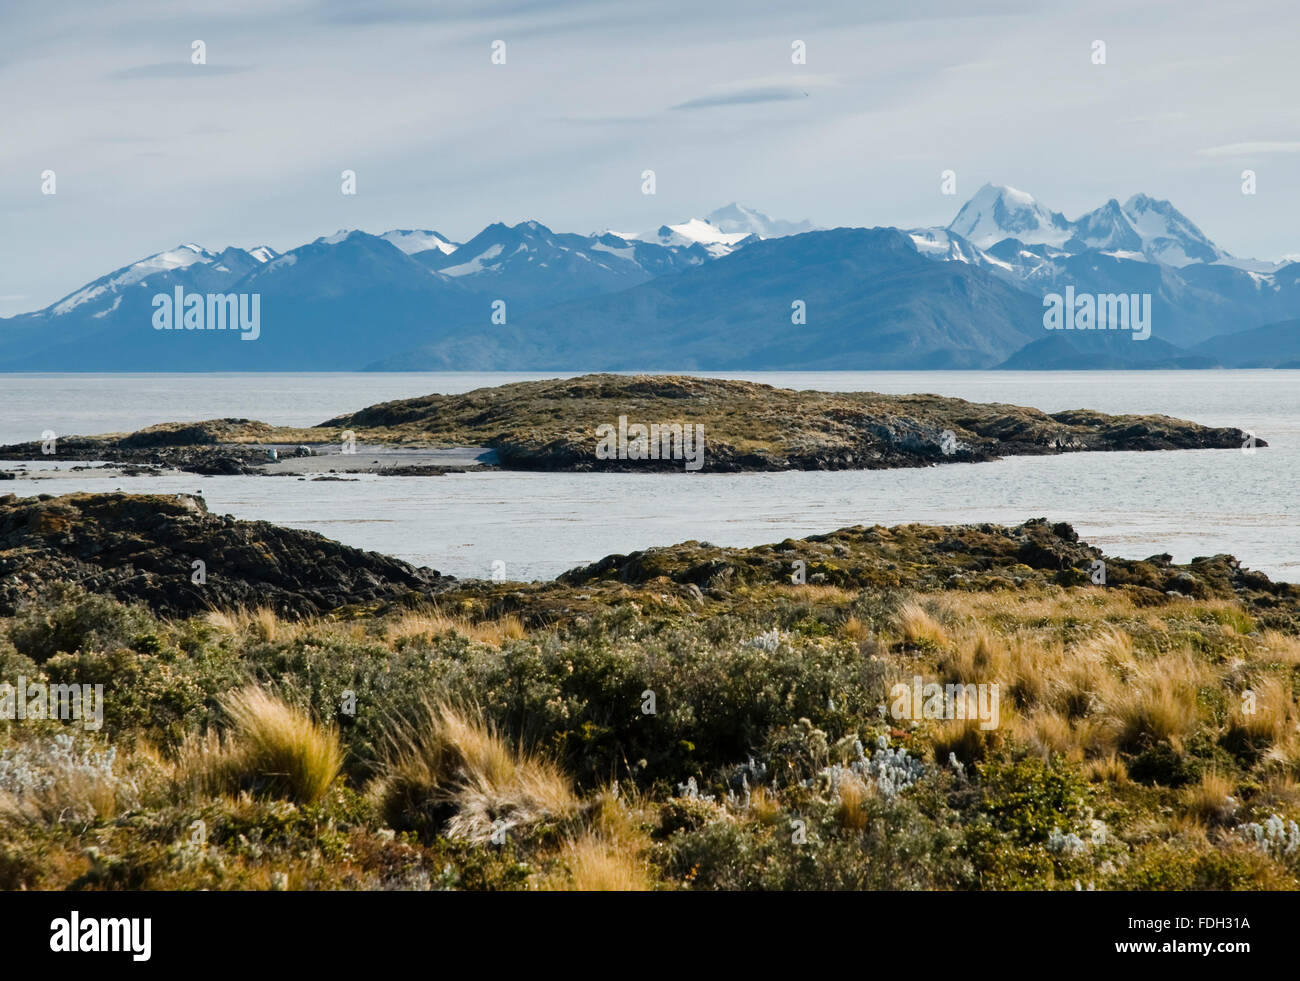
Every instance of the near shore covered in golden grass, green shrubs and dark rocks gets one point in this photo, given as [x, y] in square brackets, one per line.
[309, 717]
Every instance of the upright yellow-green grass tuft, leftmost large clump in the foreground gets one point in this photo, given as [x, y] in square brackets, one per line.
[271, 749]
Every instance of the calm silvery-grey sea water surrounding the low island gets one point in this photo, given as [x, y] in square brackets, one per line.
[1132, 505]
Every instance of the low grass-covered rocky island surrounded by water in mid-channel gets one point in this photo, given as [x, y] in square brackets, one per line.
[556, 426]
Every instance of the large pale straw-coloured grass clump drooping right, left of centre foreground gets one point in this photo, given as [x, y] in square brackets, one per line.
[453, 774]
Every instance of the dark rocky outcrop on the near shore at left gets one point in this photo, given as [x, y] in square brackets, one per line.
[146, 549]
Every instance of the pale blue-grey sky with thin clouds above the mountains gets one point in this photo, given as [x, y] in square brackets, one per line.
[151, 151]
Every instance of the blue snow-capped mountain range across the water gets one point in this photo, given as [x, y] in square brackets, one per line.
[734, 290]
